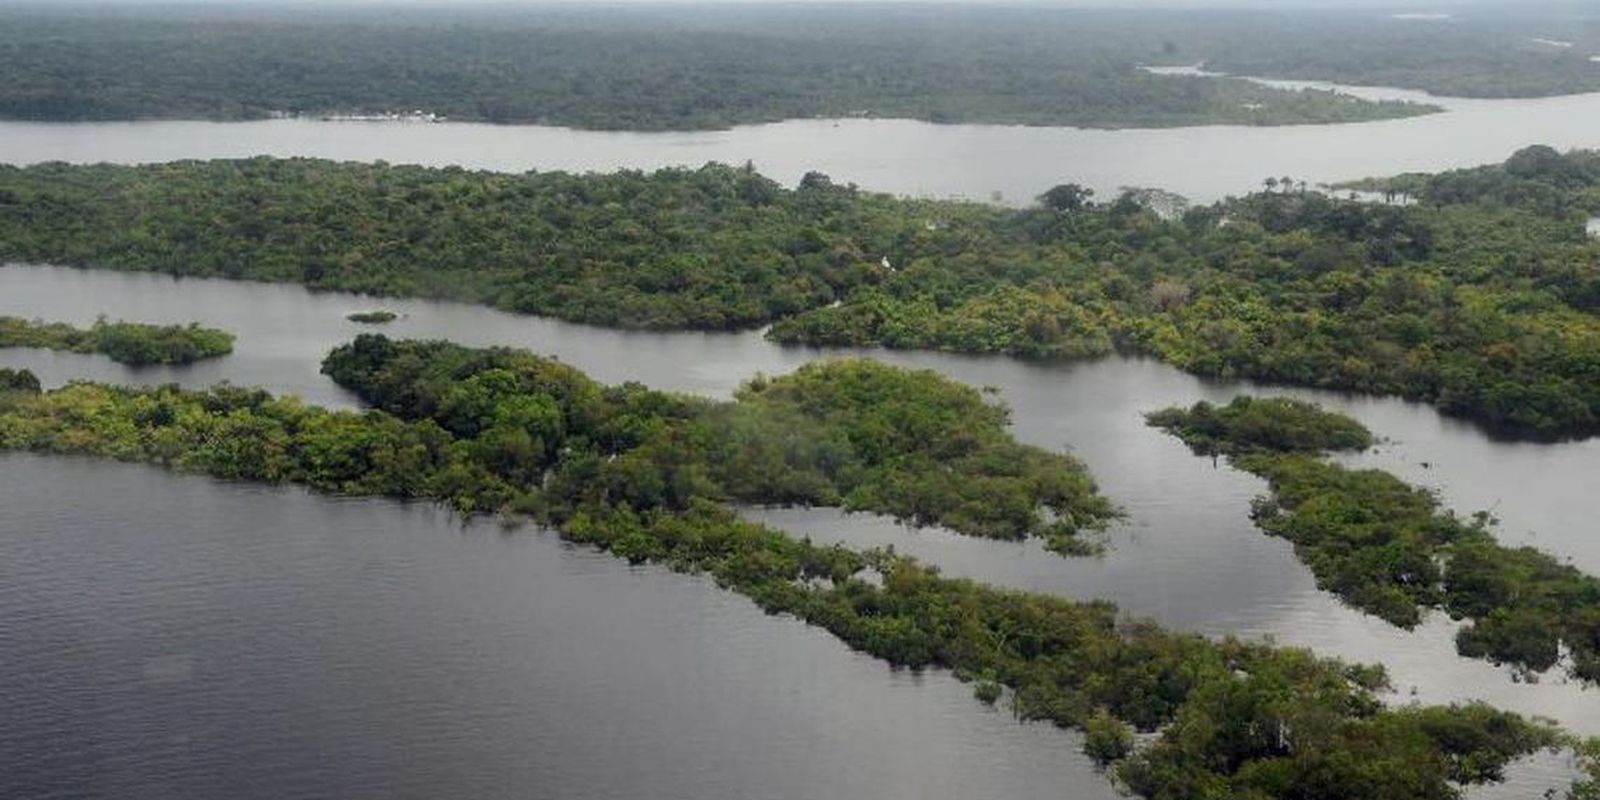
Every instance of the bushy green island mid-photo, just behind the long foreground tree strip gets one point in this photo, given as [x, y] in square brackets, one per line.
[850, 433]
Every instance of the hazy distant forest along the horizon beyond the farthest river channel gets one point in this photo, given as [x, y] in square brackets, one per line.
[698, 68]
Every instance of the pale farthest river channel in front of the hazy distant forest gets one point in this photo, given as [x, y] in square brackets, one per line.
[894, 156]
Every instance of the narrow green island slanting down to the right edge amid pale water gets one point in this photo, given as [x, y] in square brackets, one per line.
[1388, 548]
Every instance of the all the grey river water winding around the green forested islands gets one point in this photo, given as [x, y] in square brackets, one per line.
[180, 638]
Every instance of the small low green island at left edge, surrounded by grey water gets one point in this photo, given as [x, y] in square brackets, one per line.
[129, 343]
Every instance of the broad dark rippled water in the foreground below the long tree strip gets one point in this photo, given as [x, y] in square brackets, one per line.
[174, 638]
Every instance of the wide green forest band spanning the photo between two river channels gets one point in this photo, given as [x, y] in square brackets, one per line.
[1479, 297]
